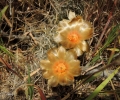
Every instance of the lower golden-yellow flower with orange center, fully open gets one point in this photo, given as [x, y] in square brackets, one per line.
[61, 67]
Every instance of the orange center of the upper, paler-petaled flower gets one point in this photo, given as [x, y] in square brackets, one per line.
[73, 37]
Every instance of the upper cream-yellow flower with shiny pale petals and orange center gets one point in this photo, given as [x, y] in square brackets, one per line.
[72, 33]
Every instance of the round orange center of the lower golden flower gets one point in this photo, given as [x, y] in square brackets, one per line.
[60, 67]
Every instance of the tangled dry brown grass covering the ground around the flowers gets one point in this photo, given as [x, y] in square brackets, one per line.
[27, 30]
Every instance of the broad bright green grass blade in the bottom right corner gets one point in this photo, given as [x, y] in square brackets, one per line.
[102, 85]
